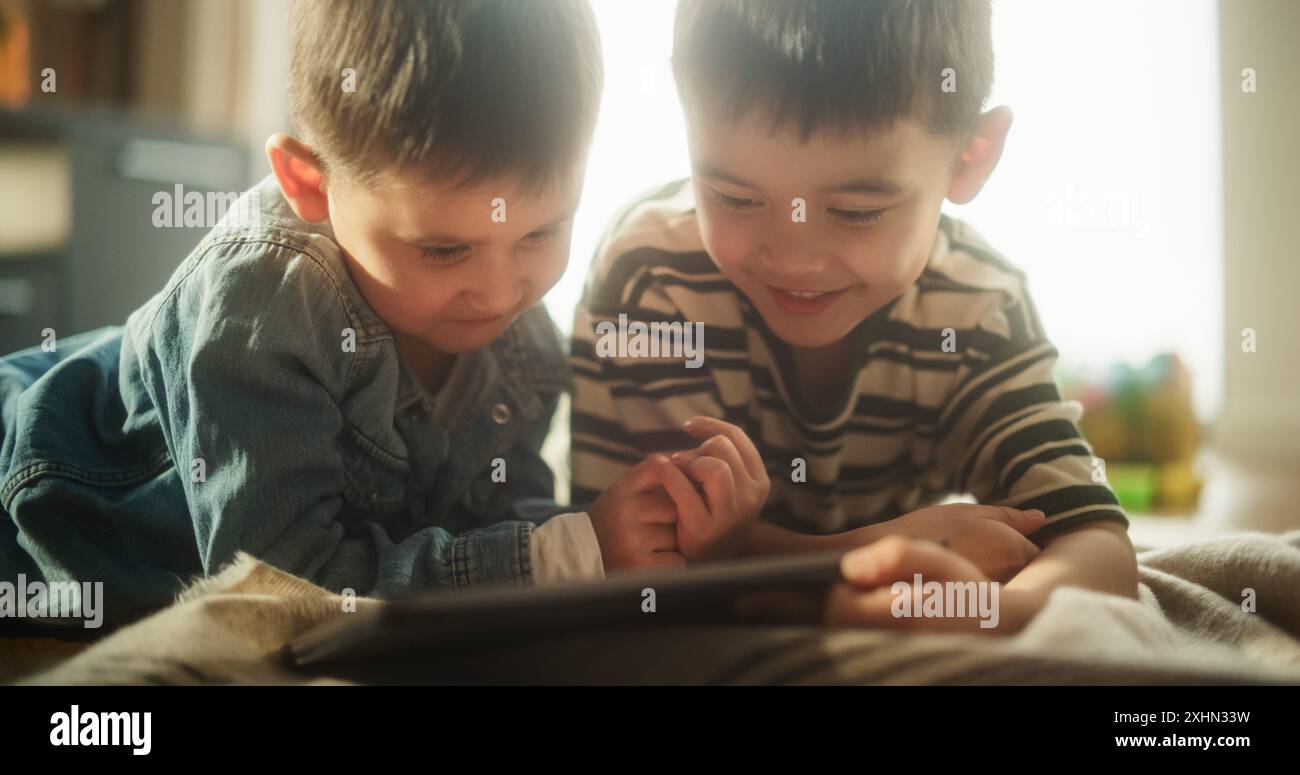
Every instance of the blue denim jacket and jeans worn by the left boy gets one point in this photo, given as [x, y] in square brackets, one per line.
[232, 414]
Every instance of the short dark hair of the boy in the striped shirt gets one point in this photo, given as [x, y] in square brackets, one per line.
[837, 64]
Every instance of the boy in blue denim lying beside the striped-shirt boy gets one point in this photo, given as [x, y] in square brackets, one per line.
[352, 376]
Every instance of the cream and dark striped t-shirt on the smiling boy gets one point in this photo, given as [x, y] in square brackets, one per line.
[952, 388]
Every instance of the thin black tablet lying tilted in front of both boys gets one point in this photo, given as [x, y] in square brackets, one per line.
[779, 590]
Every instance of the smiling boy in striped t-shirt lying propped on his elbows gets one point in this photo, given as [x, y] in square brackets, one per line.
[864, 354]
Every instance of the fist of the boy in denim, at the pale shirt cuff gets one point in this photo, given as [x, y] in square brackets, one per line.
[635, 519]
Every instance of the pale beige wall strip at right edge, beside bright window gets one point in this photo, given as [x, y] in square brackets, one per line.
[1262, 256]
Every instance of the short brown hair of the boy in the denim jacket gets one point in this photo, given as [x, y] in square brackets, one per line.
[465, 90]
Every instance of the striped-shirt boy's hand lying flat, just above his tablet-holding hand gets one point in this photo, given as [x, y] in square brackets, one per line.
[994, 538]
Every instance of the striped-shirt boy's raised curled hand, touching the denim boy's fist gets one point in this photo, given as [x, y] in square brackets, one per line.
[735, 486]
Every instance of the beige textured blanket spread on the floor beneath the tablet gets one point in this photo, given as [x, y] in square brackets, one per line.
[1193, 625]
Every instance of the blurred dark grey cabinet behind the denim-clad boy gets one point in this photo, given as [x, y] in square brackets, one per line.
[112, 258]
